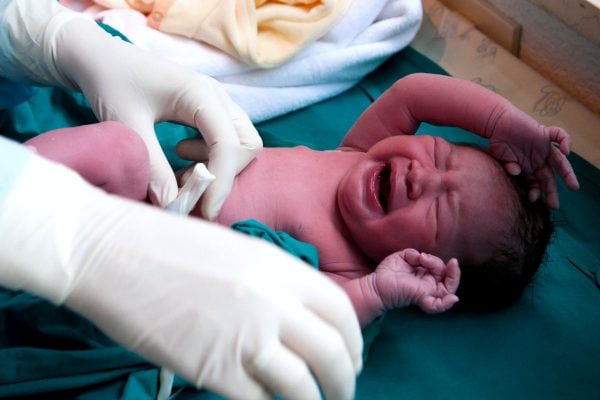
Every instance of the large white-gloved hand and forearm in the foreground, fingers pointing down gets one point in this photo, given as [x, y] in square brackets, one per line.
[227, 312]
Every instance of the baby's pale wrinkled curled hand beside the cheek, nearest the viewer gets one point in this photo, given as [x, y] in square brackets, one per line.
[409, 277]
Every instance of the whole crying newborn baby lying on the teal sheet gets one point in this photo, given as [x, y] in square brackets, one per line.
[387, 208]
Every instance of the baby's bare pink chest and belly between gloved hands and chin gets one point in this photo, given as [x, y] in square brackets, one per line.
[295, 190]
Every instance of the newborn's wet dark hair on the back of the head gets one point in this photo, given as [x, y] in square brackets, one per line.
[500, 280]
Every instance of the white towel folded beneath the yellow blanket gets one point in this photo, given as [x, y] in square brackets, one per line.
[369, 33]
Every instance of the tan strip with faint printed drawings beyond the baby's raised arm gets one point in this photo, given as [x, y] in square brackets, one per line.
[460, 48]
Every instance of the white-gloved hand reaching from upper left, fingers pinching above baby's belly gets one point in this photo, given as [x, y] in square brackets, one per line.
[52, 45]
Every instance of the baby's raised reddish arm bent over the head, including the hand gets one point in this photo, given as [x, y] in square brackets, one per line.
[516, 139]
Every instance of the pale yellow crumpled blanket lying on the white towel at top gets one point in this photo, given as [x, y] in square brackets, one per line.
[262, 33]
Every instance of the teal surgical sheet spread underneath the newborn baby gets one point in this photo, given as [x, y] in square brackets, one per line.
[546, 346]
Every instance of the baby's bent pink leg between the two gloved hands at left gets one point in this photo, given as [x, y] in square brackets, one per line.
[108, 155]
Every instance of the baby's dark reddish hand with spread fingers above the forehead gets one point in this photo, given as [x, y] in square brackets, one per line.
[539, 151]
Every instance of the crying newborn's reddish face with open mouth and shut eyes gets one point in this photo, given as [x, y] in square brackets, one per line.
[425, 193]
